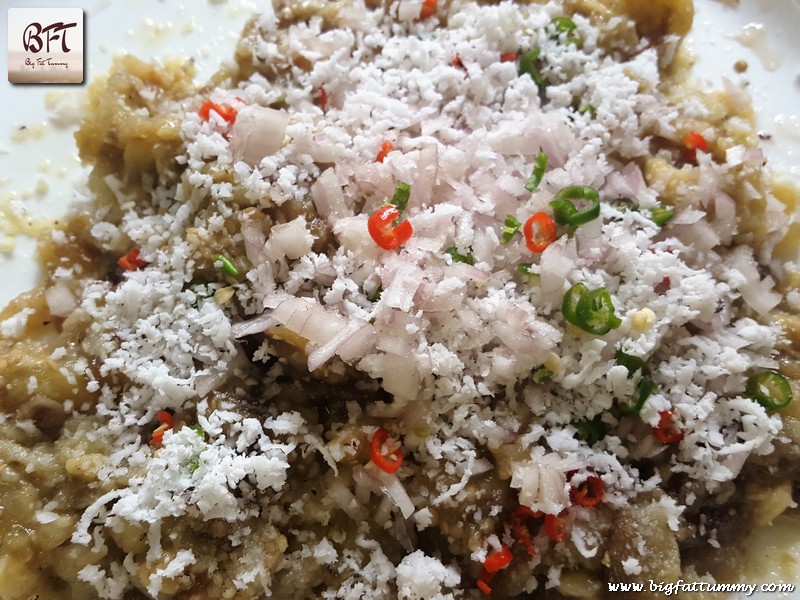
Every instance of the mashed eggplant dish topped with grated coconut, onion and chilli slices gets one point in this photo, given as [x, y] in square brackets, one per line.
[415, 300]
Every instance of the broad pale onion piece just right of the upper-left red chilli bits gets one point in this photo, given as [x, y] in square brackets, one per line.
[258, 132]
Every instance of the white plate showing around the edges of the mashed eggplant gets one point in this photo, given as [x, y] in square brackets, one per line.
[41, 173]
